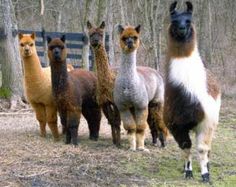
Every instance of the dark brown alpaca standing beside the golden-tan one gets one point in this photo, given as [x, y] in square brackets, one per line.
[74, 93]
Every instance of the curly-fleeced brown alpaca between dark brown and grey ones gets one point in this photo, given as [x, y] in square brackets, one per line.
[106, 79]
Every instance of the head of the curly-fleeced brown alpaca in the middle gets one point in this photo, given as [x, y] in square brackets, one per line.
[96, 35]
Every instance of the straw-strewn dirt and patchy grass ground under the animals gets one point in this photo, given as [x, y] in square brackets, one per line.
[26, 159]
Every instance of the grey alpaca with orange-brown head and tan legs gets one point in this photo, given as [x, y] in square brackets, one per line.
[136, 89]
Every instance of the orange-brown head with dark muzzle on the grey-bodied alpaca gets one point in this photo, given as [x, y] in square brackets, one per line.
[129, 38]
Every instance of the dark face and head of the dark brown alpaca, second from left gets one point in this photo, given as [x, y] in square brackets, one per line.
[57, 49]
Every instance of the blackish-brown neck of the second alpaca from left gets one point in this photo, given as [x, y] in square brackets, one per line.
[59, 77]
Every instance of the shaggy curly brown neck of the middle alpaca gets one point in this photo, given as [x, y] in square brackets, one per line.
[103, 69]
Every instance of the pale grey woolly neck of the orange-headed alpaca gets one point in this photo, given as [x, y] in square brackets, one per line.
[128, 65]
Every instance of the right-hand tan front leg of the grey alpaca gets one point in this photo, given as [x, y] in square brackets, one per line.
[141, 121]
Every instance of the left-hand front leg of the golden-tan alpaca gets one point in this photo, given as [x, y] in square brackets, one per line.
[41, 117]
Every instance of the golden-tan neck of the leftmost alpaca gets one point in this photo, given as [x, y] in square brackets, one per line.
[32, 69]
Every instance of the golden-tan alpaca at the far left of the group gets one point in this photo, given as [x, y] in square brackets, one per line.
[37, 85]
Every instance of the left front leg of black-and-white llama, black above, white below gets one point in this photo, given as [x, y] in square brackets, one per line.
[183, 139]
